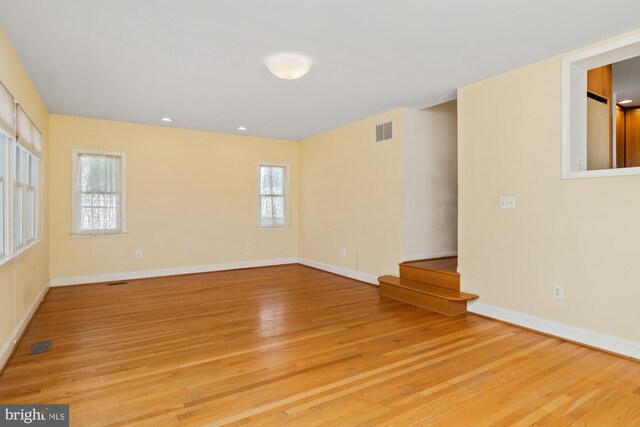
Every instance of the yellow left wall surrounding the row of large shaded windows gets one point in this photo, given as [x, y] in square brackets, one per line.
[22, 279]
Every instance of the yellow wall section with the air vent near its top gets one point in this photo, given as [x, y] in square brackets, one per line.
[351, 195]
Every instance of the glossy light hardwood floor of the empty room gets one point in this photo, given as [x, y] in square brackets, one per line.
[296, 346]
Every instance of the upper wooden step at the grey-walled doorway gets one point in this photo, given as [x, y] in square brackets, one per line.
[438, 272]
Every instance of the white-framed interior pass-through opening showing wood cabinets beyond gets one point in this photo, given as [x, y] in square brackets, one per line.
[599, 95]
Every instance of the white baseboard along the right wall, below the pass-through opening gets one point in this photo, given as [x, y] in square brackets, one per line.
[561, 330]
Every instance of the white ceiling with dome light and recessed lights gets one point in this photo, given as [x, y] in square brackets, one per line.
[202, 62]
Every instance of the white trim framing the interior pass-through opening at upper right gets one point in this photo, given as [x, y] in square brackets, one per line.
[574, 85]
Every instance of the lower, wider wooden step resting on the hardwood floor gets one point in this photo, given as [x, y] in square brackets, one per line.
[435, 298]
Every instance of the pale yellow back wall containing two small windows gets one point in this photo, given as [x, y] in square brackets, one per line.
[185, 189]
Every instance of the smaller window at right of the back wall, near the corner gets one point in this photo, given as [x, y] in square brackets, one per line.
[273, 198]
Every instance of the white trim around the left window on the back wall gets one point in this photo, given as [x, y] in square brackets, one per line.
[123, 191]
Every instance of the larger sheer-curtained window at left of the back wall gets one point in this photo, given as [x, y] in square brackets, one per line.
[98, 193]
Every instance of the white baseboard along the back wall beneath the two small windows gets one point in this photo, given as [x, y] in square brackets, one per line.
[111, 277]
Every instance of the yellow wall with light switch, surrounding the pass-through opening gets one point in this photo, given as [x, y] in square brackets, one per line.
[579, 233]
